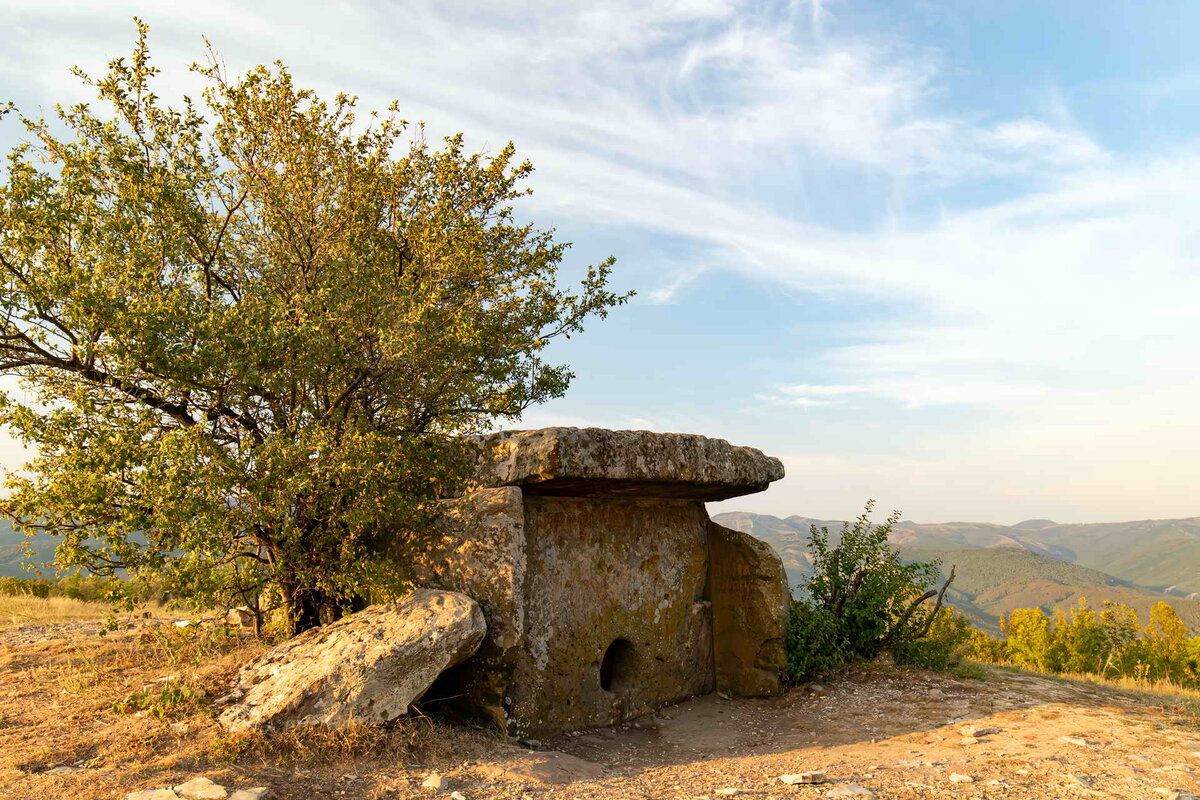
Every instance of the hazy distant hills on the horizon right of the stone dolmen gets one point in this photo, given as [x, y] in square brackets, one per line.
[1037, 563]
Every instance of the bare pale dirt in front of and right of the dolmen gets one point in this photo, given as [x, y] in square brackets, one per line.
[901, 736]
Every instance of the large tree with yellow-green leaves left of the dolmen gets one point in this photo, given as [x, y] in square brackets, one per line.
[254, 330]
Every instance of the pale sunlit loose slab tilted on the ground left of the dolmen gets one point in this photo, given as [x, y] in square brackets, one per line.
[369, 666]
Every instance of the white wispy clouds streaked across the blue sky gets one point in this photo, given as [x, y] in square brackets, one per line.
[1063, 300]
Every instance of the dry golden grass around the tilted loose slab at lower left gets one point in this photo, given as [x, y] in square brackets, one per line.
[110, 705]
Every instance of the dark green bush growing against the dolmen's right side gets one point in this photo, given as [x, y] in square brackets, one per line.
[862, 599]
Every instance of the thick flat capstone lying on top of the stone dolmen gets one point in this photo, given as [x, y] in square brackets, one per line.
[585, 462]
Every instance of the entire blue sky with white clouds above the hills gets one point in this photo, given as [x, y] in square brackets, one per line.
[938, 255]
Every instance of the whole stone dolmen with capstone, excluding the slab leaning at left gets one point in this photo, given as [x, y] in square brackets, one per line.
[607, 591]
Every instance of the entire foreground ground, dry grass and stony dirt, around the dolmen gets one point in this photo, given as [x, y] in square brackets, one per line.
[877, 731]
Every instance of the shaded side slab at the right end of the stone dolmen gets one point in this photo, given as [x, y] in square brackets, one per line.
[748, 587]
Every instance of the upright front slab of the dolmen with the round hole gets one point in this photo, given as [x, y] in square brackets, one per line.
[627, 574]
